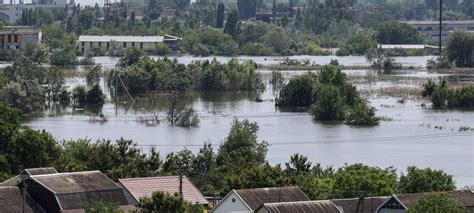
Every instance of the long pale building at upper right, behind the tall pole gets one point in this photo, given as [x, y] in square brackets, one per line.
[431, 28]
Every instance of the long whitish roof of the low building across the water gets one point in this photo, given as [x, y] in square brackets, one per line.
[145, 39]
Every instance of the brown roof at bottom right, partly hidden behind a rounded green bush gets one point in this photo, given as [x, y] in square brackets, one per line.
[465, 197]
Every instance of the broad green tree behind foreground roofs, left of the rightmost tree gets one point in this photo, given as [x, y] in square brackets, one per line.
[350, 180]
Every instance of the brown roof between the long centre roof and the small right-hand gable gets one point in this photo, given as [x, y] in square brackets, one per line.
[367, 205]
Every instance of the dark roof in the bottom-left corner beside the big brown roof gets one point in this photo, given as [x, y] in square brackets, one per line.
[11, 201]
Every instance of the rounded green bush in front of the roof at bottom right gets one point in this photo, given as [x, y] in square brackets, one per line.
[437, 202]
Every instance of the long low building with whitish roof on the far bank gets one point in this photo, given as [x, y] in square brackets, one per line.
[87, 42]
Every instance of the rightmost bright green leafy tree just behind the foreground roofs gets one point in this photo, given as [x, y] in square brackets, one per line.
[425, 180]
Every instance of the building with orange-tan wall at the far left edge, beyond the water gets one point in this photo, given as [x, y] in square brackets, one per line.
[19, 36]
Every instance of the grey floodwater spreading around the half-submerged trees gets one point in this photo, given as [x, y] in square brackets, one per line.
[411, 134]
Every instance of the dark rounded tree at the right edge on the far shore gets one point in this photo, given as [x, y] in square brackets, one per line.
[460, 49]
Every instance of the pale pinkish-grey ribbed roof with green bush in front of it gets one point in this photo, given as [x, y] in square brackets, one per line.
[144, 187]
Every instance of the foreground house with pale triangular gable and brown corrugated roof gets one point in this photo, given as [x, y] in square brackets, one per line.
[249, 200]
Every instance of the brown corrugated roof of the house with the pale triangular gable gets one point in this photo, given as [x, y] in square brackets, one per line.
[254, 198]
